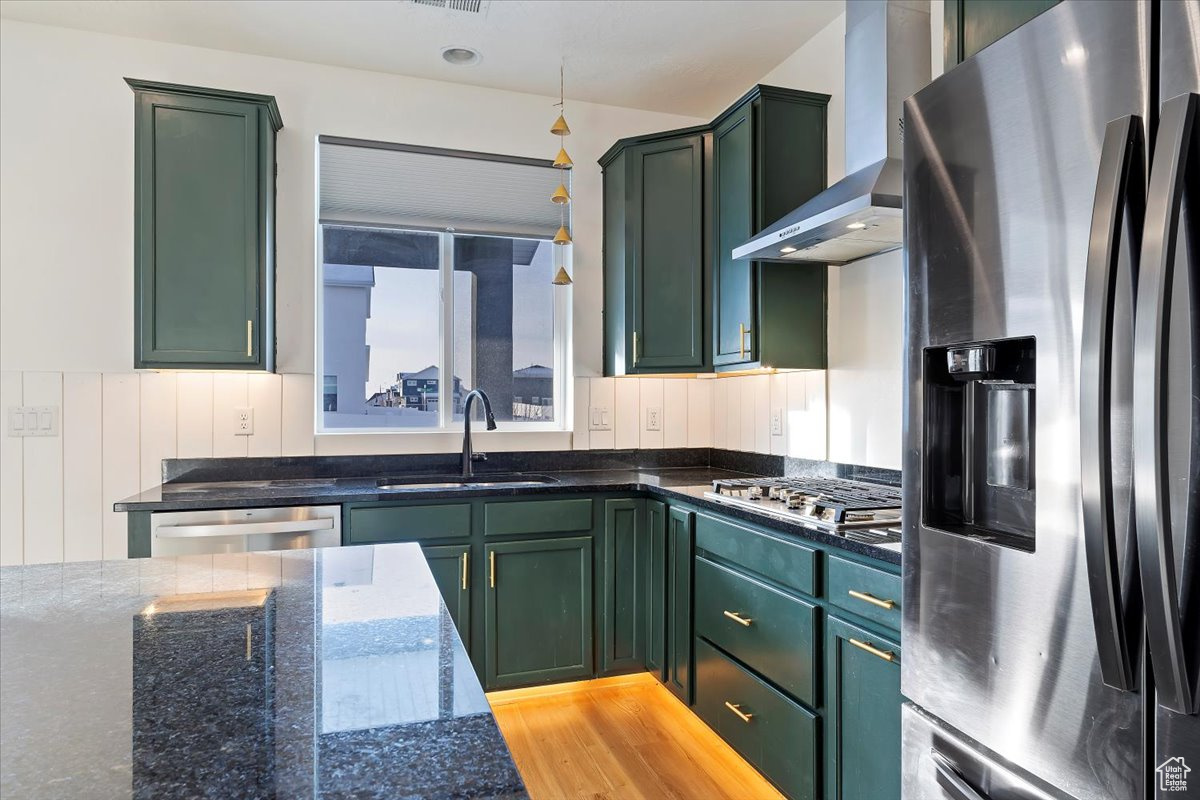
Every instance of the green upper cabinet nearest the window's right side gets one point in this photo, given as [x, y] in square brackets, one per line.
[656, 256]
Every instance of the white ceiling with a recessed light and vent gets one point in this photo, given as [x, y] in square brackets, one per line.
[670, 56]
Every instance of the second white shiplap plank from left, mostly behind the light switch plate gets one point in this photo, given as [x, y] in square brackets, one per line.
[44, 474]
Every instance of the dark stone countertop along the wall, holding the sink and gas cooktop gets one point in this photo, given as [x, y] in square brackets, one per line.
[687, 484]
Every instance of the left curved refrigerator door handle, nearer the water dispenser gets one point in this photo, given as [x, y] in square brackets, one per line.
[1120, 207]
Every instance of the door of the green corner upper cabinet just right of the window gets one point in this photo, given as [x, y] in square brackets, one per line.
[665, 256]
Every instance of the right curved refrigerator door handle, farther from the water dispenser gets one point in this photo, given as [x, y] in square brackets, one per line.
[1174, 657]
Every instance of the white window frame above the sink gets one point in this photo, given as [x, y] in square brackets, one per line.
[562, 332]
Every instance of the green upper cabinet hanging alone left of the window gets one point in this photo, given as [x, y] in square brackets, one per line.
[205, 228]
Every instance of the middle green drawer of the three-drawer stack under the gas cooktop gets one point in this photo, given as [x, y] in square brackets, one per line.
[777, 636]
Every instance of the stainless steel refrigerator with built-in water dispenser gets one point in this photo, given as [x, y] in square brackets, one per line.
[1052, 618]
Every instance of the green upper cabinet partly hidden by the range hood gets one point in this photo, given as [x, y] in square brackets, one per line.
[769, 159]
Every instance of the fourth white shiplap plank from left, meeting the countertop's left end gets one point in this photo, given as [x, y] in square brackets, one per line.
[122, 454]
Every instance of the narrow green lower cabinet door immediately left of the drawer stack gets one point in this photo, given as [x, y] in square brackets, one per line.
[681, 545]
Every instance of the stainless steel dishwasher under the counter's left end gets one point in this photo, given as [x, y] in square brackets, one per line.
[244, 531]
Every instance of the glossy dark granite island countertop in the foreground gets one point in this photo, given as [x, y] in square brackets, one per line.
[333, 673]
